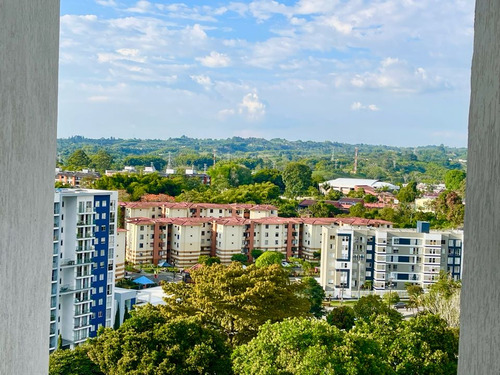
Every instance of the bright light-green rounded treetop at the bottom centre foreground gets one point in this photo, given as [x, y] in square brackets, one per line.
[301, 346]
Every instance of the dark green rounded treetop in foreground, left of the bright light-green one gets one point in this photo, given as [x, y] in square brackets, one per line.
[152, 343]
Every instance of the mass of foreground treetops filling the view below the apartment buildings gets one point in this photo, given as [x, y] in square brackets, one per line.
[255, 321]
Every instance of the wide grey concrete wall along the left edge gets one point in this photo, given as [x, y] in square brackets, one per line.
[29, 37]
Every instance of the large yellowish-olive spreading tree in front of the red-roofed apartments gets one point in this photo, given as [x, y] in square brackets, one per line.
[237, 300]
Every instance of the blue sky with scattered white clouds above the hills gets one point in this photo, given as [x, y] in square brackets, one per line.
[390, 72]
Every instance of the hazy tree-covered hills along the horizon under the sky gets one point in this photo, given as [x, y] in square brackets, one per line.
[327, 159]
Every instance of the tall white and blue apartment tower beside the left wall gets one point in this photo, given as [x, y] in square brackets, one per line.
[83, 264]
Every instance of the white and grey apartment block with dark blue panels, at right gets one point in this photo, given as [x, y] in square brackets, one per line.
[354, 258]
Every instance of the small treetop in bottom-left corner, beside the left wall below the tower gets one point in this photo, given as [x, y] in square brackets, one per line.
[73, 362]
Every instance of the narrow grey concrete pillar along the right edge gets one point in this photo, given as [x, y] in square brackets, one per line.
[480, 303]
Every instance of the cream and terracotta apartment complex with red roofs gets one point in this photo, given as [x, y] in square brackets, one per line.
[223, 231]
